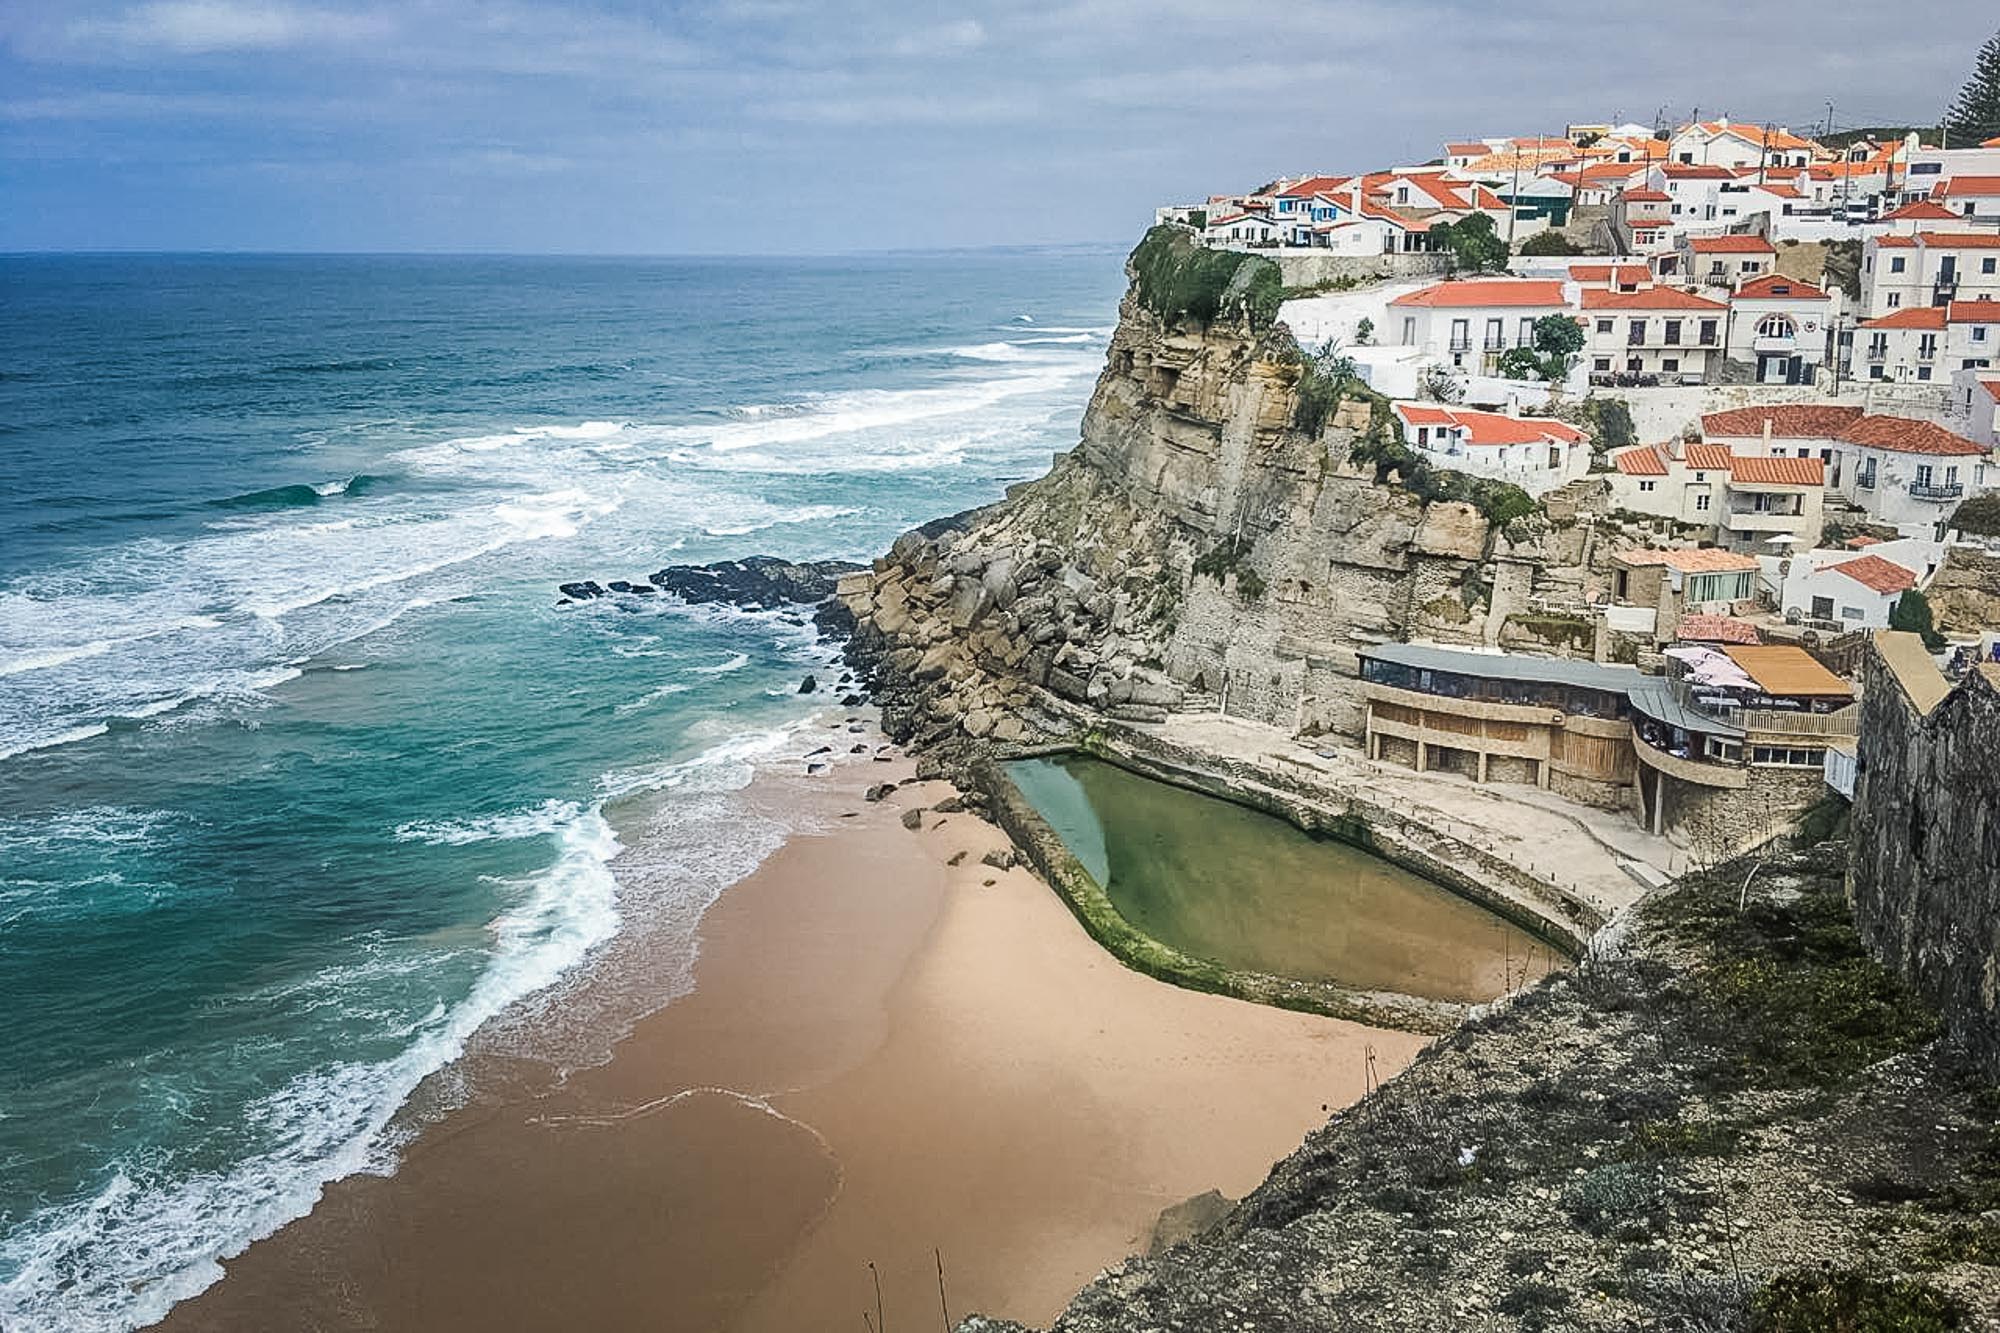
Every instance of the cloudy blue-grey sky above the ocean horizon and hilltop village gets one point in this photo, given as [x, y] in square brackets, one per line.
[777, 127]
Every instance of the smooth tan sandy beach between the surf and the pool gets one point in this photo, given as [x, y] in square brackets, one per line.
[893, 1054]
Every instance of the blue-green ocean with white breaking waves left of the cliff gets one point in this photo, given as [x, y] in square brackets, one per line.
[305, 776]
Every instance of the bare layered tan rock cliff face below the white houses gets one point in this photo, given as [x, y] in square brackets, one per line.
[1195, 549]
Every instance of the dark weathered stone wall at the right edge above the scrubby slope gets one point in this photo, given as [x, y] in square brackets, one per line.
[1925, 852]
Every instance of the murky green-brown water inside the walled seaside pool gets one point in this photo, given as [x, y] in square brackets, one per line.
[1247, 890]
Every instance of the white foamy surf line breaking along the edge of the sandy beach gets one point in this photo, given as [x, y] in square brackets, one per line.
[127, 1256]
